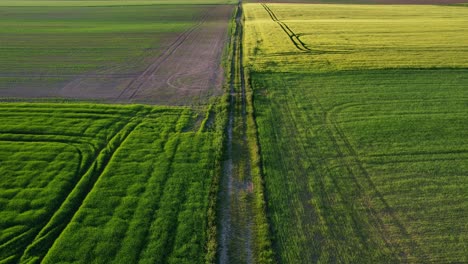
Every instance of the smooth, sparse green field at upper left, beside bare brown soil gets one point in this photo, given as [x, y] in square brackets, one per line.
[41, 48]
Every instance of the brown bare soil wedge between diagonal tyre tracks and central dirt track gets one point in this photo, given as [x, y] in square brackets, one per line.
[190, 69]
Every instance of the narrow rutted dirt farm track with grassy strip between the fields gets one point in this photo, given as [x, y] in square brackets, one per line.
[237, 215]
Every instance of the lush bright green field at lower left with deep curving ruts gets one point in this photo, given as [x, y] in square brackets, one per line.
[84, 182]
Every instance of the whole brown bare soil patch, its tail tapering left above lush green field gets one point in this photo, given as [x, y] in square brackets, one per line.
[187, 71]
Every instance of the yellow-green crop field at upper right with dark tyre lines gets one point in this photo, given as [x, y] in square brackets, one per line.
[358, 37]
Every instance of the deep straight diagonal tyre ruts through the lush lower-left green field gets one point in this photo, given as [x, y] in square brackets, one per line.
[48, 235]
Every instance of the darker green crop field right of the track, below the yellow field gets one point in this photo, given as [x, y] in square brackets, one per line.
[362, 168]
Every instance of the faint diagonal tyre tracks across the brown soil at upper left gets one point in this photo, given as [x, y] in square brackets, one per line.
[135, 85]
